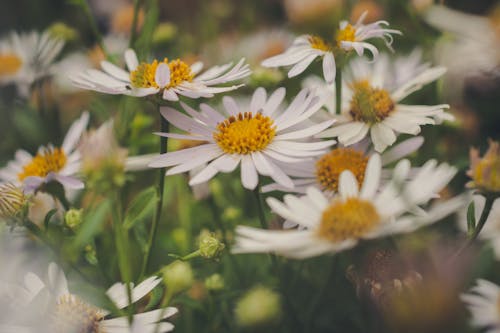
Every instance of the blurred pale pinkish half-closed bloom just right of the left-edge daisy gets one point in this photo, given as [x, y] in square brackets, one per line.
[103, 160]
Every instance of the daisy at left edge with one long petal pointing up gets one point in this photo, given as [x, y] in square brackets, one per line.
[51, 163]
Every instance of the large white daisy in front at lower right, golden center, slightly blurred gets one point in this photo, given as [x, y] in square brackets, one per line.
[333, 225]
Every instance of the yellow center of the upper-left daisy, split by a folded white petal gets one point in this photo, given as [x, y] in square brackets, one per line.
[144, 75]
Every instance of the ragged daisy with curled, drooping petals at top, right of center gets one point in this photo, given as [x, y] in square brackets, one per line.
[349, 37]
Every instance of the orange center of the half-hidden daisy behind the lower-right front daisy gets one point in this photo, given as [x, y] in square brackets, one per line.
[331, 165]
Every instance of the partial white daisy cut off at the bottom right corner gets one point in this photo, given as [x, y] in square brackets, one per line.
[482, 302]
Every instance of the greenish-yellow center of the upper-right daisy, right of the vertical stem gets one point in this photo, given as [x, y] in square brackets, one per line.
[368, 104]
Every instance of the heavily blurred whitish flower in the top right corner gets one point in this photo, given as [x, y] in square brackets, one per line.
[473, 49]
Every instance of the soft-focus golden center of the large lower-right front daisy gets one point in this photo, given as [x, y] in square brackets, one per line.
[350, 219]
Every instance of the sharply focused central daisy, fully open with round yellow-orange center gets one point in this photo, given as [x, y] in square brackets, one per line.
[255, 136]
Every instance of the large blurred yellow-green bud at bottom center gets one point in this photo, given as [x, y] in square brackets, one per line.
[258, 306]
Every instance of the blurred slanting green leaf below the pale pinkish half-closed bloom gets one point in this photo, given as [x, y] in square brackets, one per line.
[92, 223]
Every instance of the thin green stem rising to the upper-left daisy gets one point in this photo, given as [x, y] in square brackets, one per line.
[159, 197]
